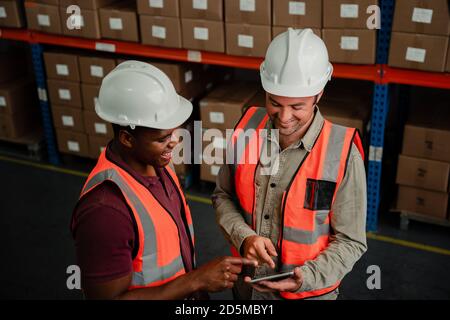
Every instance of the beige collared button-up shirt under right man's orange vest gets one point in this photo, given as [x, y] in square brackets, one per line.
[348, 222]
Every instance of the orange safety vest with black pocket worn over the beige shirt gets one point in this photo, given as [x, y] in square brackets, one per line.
[307, 201]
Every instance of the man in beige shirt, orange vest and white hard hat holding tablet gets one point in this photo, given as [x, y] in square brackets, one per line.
[308, 214]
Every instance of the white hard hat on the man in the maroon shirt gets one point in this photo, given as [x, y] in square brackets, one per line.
[138, 94]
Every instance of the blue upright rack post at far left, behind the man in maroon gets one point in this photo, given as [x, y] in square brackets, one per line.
[38, 65]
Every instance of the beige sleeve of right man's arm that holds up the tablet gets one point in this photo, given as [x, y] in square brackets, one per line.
[348, 223]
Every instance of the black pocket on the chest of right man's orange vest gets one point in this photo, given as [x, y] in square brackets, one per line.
[319, 194]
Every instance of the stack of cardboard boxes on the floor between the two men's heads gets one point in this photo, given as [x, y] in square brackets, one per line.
[221, 110]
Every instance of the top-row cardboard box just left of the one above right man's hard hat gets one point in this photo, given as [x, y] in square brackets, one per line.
[249, 11]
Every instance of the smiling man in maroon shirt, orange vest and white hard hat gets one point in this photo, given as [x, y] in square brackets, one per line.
[132, 227]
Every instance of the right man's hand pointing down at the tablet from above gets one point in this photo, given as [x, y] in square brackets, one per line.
[260, 249]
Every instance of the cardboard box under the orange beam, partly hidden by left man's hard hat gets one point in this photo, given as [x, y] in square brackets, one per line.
[94, 69]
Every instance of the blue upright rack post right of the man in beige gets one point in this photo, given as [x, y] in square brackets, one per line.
[380, 111]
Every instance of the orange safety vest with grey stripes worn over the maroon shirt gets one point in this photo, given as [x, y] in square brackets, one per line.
[158, 259]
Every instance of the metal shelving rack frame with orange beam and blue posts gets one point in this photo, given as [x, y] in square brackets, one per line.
[379, 74]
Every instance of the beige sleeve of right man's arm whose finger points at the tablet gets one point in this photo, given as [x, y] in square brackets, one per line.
[228, 214]
